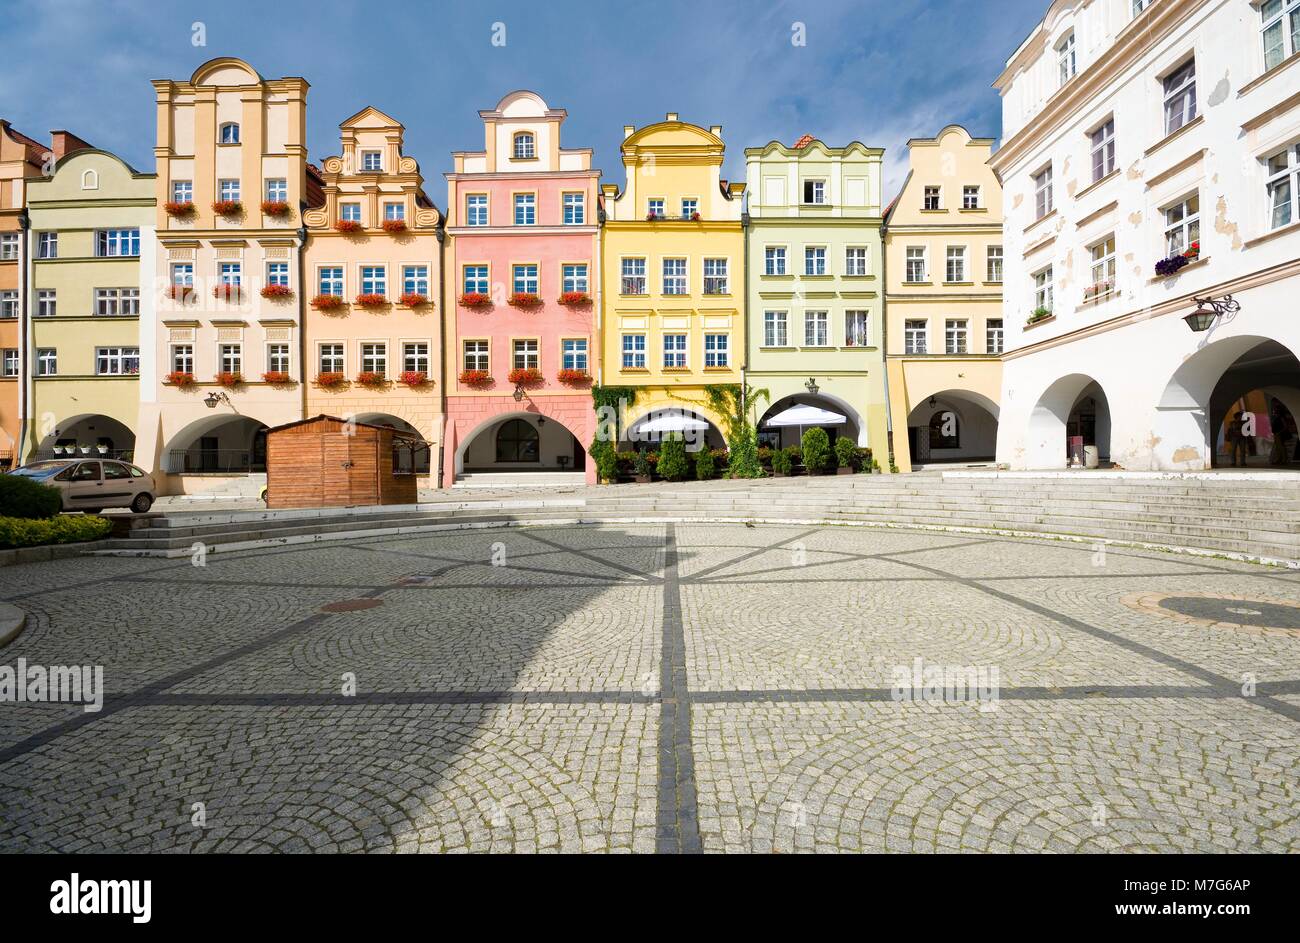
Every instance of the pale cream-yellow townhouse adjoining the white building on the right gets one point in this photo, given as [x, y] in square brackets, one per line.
[944, 304]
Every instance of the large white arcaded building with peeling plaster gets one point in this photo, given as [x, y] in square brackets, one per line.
[1151, 158]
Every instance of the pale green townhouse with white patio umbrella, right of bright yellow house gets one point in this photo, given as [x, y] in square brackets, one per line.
[816, 310]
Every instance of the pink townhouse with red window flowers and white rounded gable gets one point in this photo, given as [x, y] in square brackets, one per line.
[522, 295]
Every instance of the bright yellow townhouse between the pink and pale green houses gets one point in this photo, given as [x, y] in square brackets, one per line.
[674, 265]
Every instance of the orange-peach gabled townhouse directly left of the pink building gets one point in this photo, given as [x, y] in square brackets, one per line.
[372, 270]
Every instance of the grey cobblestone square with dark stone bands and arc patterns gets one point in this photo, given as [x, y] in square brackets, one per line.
[674, 689]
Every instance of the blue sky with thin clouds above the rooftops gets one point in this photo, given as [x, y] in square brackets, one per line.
[874, 71]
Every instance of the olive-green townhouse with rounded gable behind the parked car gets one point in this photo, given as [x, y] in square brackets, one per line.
[92, 224]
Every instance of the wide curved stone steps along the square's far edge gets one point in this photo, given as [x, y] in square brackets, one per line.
[1256, 518]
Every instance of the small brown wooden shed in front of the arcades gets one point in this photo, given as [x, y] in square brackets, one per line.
[331, 462]
